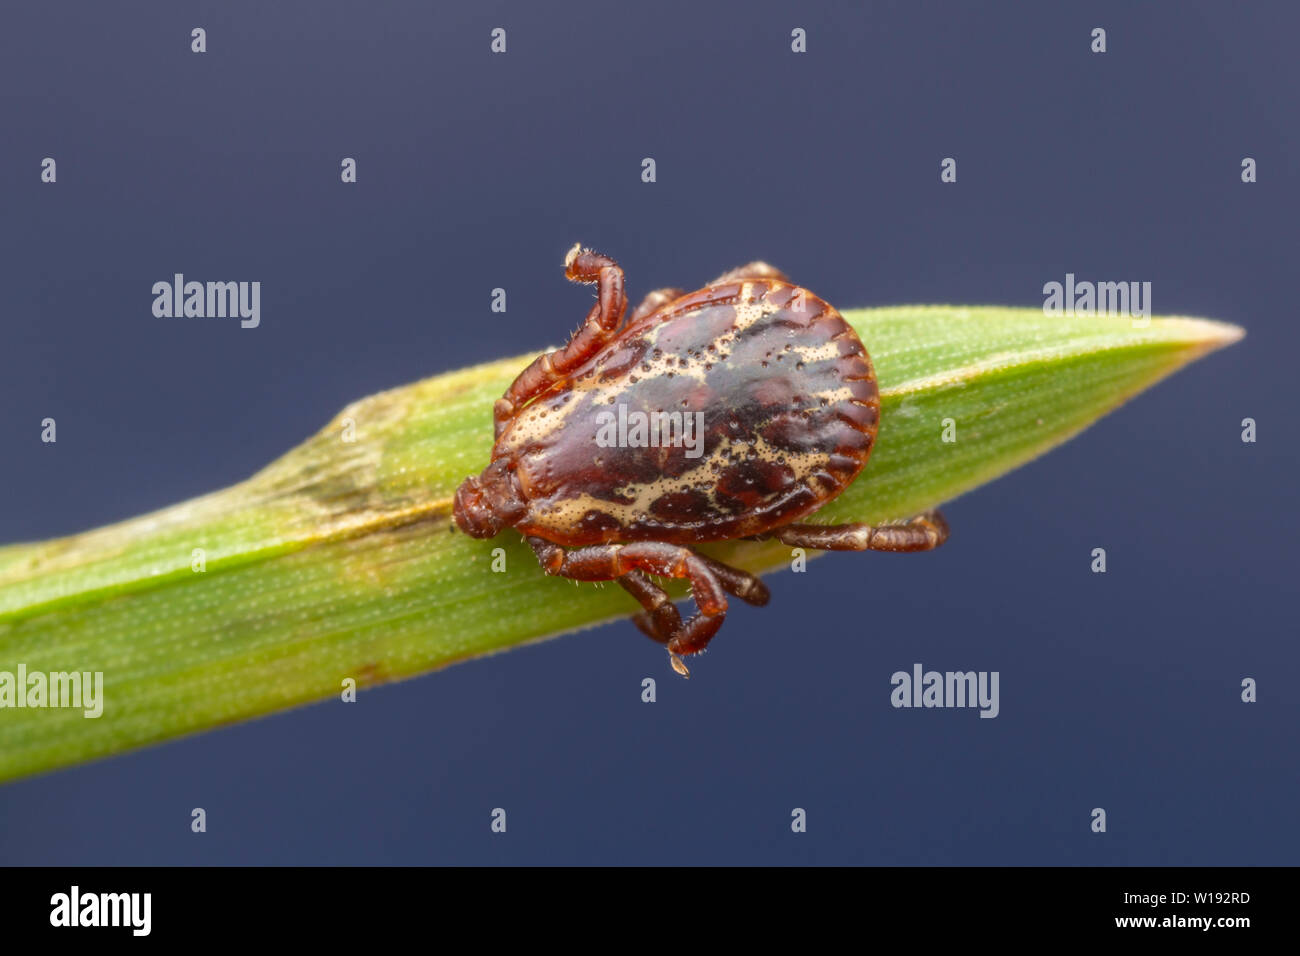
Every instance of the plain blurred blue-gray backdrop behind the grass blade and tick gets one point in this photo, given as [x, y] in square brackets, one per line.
[478, 171]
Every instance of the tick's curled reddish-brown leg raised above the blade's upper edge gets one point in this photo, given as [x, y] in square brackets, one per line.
[603, 322]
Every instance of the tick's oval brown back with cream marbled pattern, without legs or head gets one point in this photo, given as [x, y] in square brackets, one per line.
[790, 406]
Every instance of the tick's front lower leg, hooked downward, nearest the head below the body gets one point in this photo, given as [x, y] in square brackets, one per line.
[608, 563]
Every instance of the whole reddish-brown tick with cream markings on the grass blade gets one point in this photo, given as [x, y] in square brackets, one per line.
[734, 412]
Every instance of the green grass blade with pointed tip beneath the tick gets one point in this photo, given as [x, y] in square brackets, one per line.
[336, 561]
